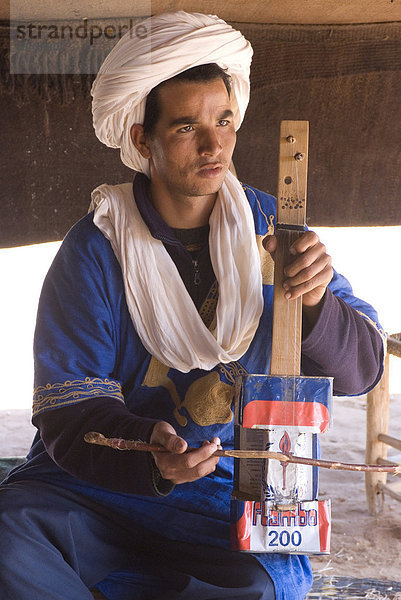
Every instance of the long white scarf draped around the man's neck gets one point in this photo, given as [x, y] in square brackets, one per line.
[161, 309]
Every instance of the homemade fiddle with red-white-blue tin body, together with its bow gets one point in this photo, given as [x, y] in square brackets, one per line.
[275, 505]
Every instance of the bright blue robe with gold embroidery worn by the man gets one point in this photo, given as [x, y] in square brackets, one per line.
[86, 346]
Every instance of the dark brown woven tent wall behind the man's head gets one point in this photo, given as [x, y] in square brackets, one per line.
[346, 80]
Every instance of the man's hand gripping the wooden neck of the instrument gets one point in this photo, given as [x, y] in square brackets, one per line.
[309, 273]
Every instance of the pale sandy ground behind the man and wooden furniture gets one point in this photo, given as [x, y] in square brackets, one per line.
[362, 546]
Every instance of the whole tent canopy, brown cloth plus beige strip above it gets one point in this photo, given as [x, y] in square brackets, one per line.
[334, 63]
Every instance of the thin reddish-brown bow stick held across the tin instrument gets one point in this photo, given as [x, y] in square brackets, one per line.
[93, 437]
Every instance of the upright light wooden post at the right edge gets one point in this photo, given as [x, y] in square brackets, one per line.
[377, 420]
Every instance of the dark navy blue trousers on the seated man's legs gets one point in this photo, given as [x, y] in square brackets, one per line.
[56, 545]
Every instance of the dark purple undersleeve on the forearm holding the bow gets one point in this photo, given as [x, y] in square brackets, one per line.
[62, 432]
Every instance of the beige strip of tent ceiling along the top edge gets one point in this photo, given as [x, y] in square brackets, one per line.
[250, 11]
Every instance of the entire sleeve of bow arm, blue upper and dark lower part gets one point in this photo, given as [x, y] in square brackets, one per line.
[76, 352]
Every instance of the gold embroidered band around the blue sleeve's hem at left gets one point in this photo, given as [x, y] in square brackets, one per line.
[70, 392]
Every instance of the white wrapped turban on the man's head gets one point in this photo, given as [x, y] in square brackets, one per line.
[154, 51]
